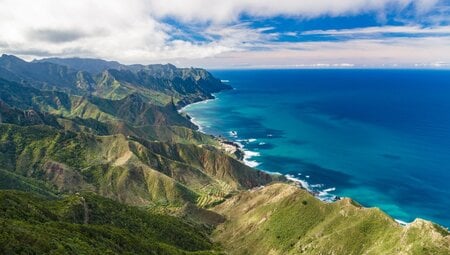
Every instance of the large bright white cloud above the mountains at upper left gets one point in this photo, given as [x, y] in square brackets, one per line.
[112, 29]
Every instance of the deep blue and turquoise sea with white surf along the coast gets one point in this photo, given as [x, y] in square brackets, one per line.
[381, 137]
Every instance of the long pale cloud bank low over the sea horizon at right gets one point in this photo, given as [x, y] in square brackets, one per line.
[390, 52]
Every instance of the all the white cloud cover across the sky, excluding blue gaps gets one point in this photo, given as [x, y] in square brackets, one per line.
[132, 32]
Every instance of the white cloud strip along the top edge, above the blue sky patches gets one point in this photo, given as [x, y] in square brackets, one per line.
[226, 11]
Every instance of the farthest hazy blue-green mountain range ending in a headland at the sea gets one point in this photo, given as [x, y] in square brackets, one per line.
[159, 84]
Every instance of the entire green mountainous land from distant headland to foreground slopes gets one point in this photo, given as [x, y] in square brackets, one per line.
[96, 159]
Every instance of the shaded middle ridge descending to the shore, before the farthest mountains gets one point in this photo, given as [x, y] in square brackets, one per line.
[129, 116]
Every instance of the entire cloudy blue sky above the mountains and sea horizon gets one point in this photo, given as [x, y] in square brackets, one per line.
[233, 33]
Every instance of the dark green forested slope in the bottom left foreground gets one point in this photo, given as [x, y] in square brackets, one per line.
[89, 224]
